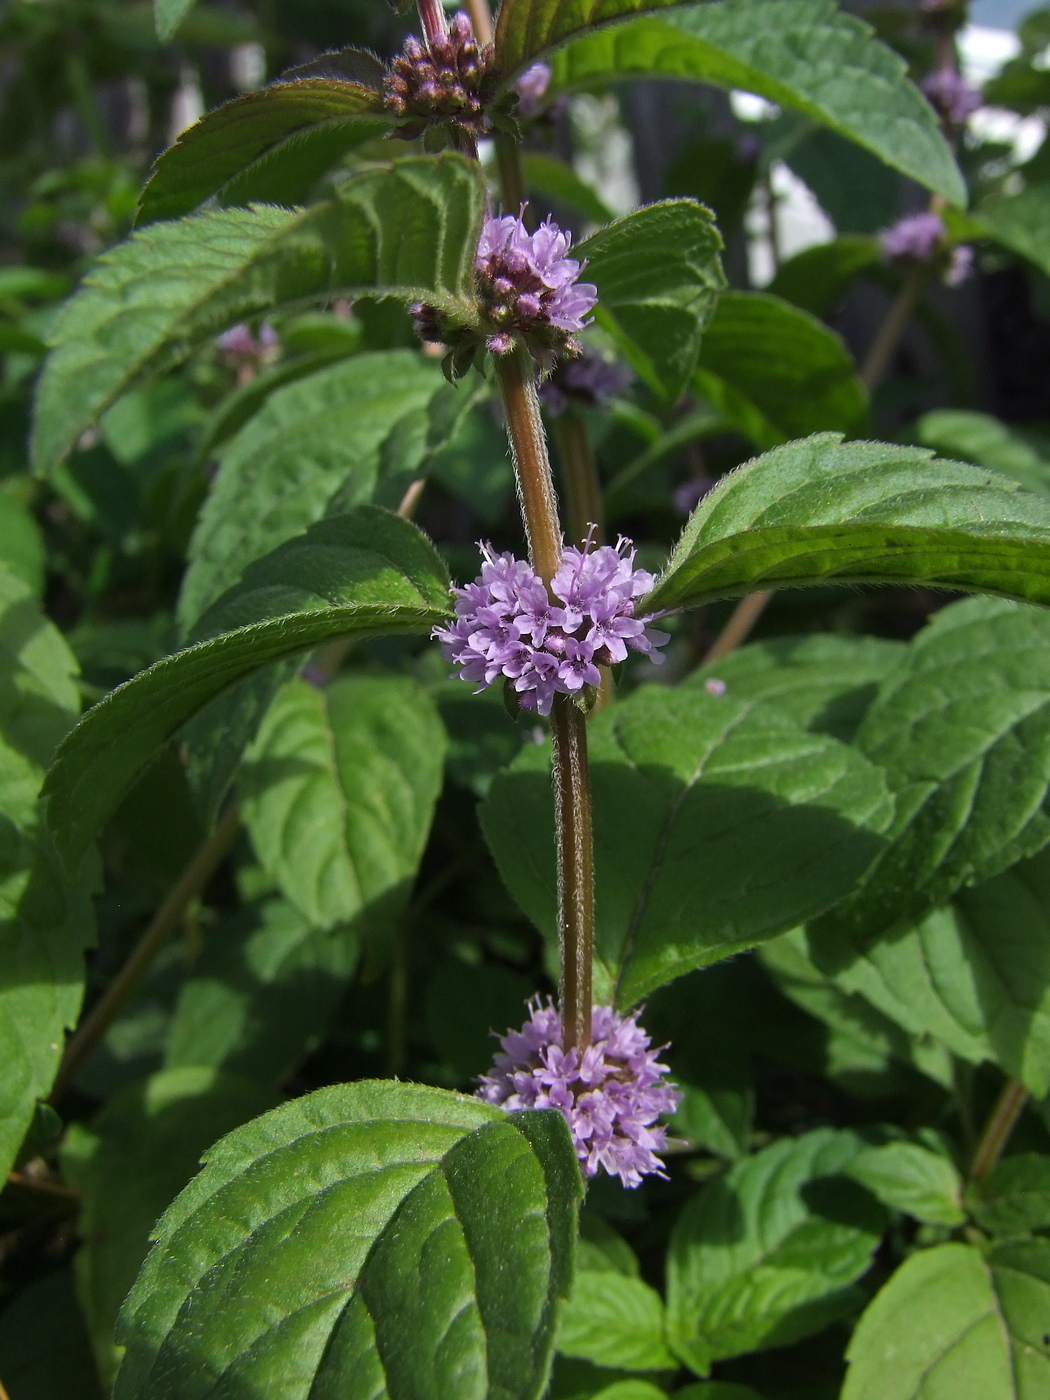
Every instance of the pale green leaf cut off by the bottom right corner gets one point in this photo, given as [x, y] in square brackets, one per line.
[953, 1322]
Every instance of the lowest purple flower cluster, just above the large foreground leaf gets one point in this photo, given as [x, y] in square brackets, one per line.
[611, 1095]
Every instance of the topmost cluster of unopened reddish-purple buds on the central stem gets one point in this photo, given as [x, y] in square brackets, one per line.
[450, 82]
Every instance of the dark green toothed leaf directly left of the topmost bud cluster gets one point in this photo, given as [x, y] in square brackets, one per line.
[267, 146]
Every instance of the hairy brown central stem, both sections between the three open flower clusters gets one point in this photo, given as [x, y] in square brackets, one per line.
[570, 771]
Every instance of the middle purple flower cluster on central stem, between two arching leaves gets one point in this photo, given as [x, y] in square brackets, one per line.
[507, 624]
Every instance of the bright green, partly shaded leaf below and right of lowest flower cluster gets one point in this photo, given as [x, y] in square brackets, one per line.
[766, 1254]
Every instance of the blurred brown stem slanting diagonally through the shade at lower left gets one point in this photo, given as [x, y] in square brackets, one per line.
[198, 873]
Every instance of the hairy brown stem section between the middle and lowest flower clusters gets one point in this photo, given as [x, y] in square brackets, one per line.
[575, 870]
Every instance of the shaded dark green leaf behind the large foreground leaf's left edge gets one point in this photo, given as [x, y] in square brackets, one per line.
[129, 1165]
